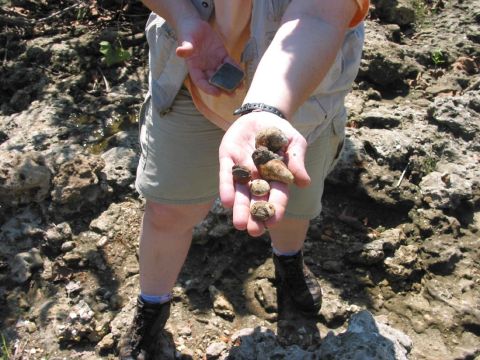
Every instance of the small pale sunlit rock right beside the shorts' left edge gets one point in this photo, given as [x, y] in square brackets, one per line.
[120, 166]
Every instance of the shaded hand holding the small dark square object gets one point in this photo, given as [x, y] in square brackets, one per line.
[204, 52]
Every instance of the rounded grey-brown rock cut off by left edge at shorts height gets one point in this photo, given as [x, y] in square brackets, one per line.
[24, 178]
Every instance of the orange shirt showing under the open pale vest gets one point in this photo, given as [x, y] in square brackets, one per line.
[231, 21]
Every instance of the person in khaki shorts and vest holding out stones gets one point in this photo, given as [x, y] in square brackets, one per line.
[300, 58]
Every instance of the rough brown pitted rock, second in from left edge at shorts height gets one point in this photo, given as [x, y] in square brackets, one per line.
[78, 185]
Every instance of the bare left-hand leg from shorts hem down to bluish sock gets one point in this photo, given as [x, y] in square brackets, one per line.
[164, 242]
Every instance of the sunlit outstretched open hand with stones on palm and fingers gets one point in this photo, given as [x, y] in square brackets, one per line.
[236, 148]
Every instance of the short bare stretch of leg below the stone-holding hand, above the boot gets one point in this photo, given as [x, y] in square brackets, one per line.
[289, 234]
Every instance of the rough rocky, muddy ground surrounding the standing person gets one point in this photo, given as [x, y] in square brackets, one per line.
[398, 236]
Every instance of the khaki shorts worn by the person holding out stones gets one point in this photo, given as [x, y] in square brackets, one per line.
[179, 160]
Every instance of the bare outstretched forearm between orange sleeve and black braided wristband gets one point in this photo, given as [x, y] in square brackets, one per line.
[299, 56]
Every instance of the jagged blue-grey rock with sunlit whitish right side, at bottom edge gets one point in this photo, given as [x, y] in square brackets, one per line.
[365, 338]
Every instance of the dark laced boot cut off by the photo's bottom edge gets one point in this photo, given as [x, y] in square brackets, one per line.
[141, 339]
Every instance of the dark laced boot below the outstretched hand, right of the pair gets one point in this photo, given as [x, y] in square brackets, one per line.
[295, 279]
